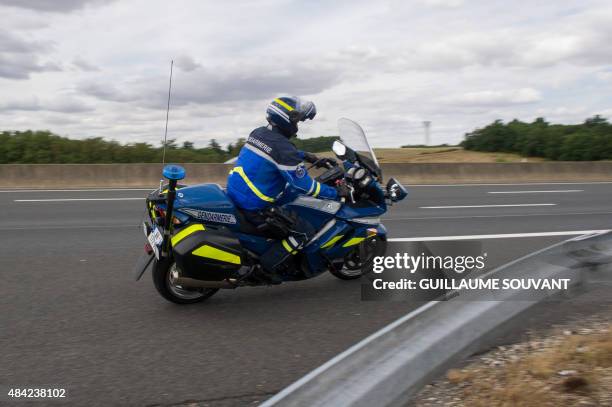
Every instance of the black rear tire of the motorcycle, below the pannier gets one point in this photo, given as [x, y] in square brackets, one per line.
[176, 294]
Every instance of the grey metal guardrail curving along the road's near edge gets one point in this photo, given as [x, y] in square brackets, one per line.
[390, 366]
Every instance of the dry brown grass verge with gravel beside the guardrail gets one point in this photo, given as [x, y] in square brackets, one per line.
[568, 368]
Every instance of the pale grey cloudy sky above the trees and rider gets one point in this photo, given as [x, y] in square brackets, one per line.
[86, 68]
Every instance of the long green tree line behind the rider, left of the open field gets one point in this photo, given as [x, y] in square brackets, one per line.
[44, 147]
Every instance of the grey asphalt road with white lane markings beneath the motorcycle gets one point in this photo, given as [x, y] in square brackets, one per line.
[71, 317]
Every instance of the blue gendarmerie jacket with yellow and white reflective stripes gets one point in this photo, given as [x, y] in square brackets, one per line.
[267, 163]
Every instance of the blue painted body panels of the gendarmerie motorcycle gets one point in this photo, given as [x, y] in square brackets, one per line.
[209, 204]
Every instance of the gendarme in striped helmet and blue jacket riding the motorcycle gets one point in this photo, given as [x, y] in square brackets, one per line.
[266, 165]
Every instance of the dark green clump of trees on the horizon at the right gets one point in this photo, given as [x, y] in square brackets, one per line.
[588, 141]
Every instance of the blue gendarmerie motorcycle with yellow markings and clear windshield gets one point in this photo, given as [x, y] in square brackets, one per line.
[198, 241]
